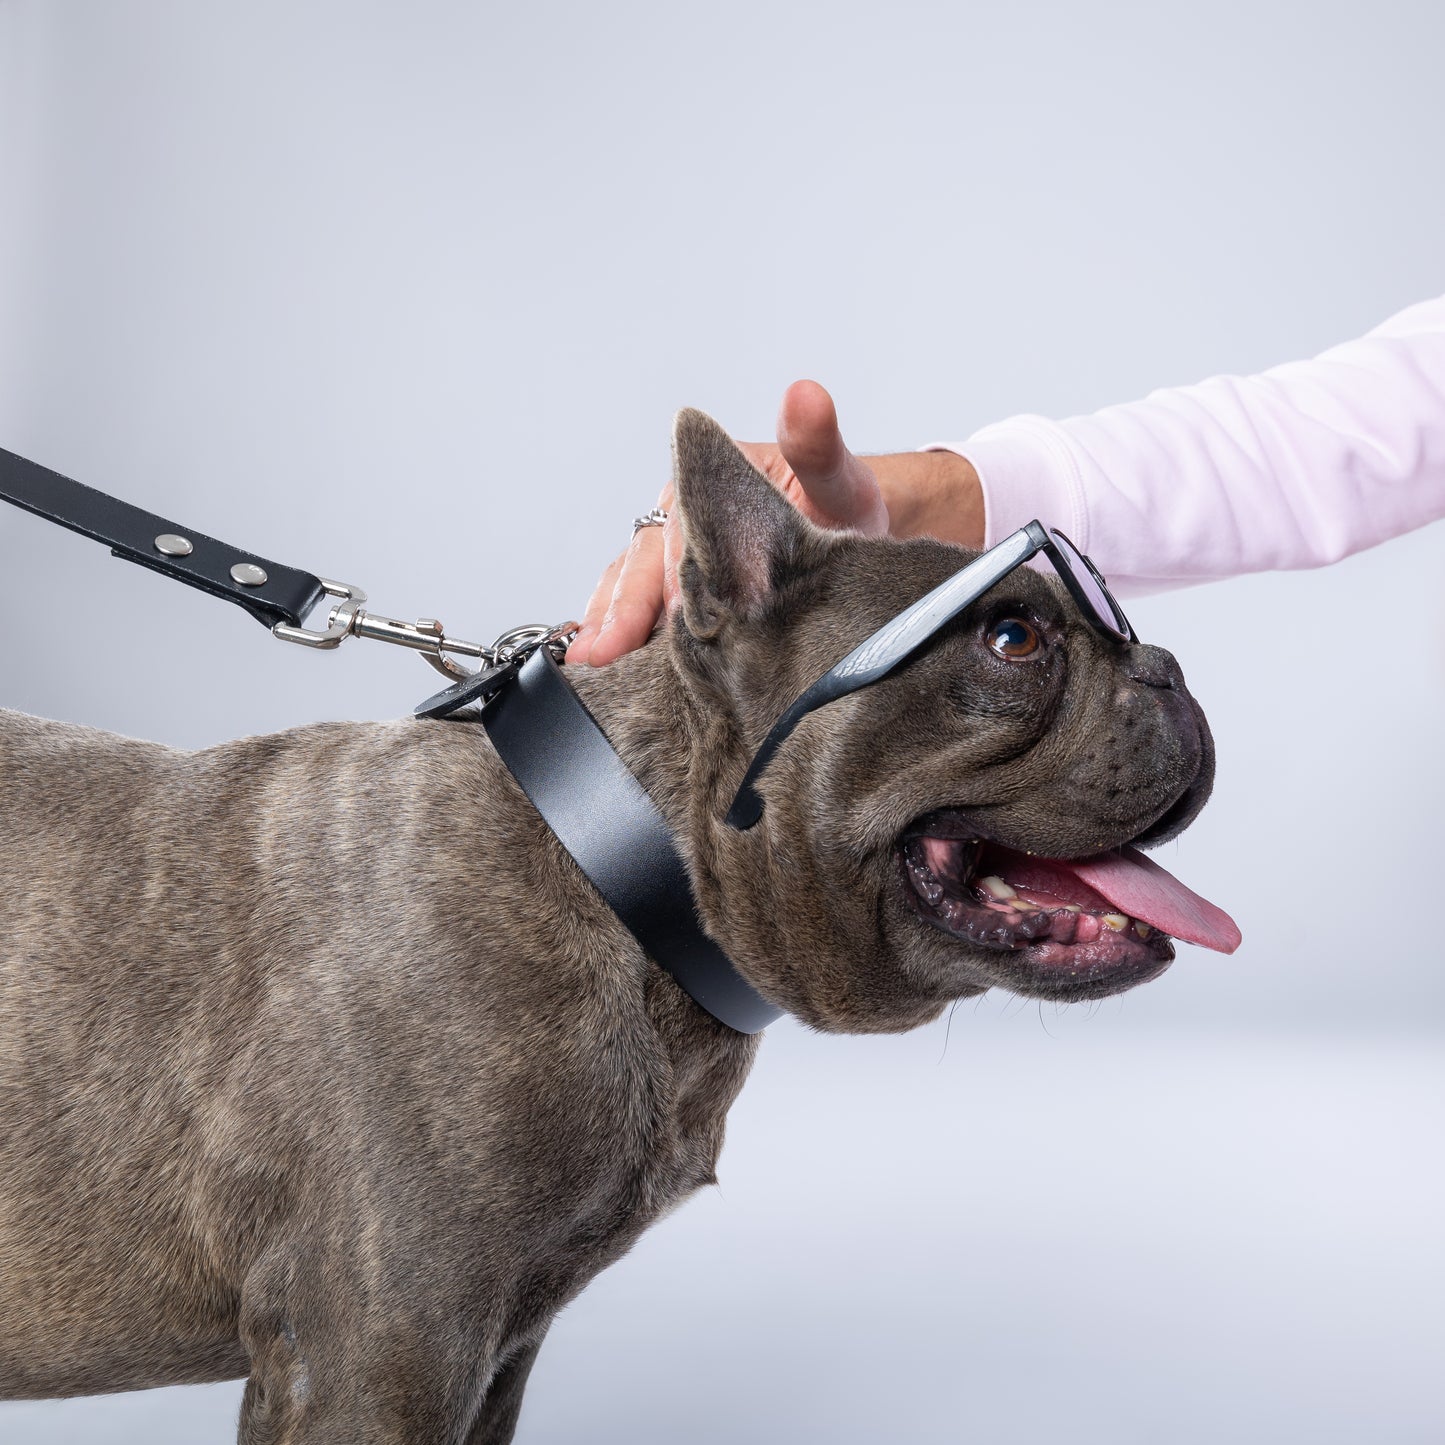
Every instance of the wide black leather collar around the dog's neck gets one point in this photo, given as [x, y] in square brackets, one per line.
[608, 823]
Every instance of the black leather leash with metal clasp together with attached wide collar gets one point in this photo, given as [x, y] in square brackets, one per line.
[540, 728]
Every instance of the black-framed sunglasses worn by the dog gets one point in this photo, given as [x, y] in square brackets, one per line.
[901, 638]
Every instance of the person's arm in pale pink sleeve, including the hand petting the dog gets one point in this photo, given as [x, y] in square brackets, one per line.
[1294, 467]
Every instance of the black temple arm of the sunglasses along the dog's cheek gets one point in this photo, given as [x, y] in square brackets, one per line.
[876, 657]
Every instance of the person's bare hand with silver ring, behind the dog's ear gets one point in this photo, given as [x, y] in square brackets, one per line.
[905, 493]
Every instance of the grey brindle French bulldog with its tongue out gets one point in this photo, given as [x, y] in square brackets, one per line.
[359, 1132]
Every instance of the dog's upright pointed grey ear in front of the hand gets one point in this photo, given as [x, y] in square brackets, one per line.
[739, 534]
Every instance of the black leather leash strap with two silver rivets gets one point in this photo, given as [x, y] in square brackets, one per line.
[267, 590]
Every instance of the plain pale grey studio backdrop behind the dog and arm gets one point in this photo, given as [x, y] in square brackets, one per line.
[407, 294]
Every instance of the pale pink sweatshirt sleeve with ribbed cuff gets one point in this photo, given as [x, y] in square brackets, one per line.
[1295, 467]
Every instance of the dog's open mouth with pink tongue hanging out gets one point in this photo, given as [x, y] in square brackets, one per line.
[1109, 920]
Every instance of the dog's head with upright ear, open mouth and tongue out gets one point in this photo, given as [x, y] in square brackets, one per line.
[914, 836]
